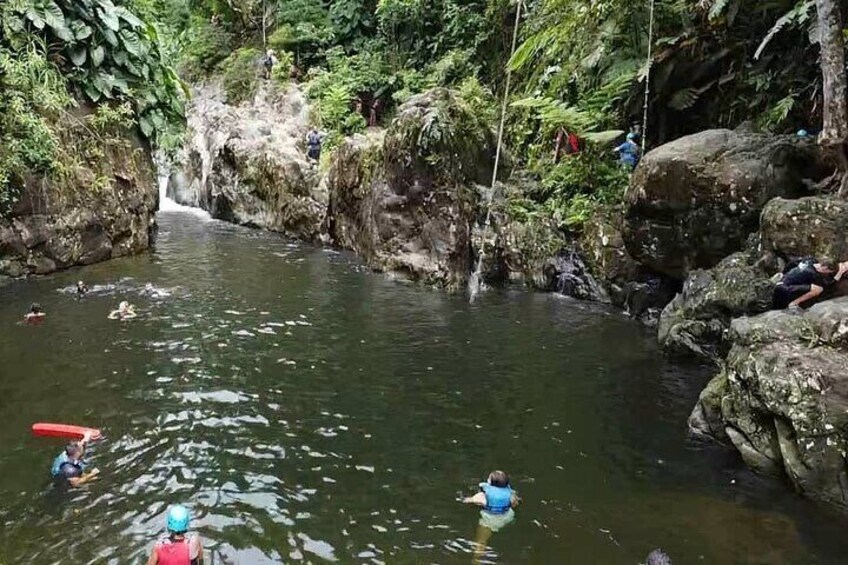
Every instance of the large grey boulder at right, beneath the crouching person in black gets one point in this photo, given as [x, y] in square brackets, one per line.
[782, 398]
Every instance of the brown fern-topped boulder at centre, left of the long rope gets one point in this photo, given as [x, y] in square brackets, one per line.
[406, 201]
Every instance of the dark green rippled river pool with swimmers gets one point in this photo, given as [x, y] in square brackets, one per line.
[308, 410]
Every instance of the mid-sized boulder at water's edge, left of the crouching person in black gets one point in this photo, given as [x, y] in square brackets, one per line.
[697, 320]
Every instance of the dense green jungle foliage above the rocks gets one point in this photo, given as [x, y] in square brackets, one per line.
[580, 67]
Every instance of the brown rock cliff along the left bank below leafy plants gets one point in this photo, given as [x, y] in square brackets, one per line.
[105, 209]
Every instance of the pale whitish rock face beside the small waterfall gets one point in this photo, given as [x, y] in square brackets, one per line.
[247, 164]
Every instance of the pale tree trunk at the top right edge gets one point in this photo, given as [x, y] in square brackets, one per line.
[834, 135]
